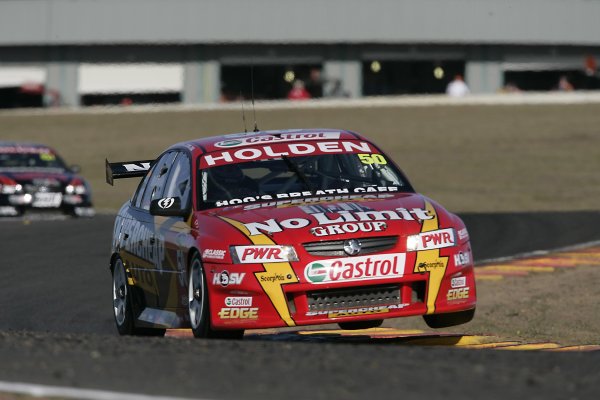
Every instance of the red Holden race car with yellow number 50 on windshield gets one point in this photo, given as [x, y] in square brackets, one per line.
[280, 229]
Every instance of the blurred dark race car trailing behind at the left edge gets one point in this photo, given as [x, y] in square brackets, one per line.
[34, 177]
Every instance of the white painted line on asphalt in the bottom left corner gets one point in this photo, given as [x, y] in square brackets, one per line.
[73, 393]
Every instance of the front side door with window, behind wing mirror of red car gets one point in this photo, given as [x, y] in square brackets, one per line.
[176, 233]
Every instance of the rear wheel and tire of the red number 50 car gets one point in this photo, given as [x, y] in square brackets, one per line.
[123, 306]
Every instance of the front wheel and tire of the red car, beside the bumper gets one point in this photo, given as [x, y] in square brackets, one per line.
[199, 310]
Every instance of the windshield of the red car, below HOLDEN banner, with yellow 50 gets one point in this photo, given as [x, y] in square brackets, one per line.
[296, 177]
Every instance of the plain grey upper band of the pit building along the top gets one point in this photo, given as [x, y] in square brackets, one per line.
[78, 22]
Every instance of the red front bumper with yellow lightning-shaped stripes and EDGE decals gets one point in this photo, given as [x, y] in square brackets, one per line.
[252, 296]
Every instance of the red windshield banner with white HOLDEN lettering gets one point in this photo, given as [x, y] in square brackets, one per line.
[283, 149]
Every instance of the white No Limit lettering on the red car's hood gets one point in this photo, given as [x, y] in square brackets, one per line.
[273, 226]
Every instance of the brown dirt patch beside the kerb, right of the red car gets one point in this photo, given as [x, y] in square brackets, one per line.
[559, 306]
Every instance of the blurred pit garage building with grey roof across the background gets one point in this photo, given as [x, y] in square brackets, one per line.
[87, 52]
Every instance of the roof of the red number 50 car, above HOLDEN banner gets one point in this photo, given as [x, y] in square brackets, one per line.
[213, 143]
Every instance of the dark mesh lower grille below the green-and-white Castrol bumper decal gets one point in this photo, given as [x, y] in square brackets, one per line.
[336, 299]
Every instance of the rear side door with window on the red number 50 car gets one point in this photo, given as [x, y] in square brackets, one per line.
[144, 249]
